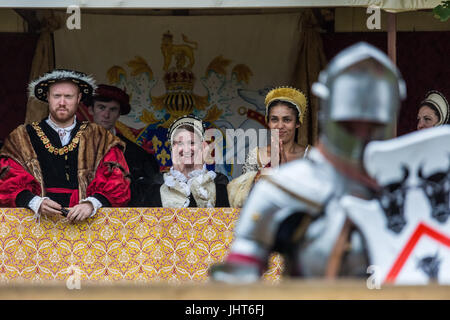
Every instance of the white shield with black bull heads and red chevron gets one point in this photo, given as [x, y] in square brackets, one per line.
[407, 227]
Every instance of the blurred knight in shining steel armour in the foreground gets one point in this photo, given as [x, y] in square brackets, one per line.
[296, 210]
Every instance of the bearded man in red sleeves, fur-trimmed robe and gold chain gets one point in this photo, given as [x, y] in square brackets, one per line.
[61, 162]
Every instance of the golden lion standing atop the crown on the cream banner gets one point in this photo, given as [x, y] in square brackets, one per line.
[169, 50]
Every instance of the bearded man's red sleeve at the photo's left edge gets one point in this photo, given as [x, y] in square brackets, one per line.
[16, 184]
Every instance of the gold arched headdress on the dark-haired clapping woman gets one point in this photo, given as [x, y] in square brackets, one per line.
[289, 94]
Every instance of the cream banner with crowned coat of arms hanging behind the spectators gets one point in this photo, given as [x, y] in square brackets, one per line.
[216, 67]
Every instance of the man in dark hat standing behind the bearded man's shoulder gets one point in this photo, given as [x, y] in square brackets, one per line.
[106, 106]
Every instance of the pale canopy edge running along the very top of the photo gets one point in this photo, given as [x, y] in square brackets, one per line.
[388, 5]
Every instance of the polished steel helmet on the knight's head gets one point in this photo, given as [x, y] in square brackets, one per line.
[360, 84]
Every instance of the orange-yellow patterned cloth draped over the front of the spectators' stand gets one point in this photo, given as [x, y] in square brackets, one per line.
[131, 244]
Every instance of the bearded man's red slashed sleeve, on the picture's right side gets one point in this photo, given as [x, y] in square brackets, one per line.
[111, 185]
